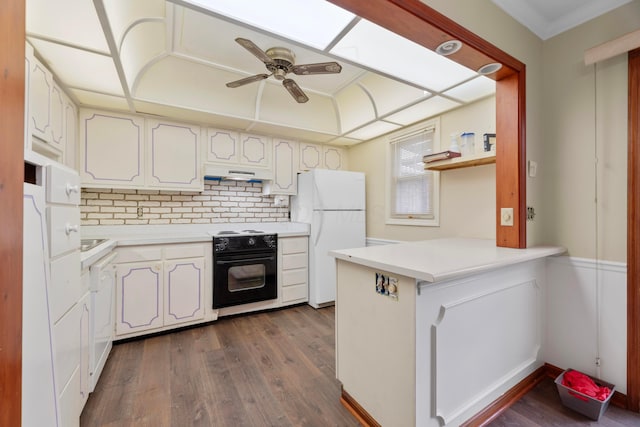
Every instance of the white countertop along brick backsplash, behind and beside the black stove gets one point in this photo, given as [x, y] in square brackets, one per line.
[132, 235]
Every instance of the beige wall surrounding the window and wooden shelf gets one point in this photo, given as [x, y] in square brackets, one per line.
[467, 196]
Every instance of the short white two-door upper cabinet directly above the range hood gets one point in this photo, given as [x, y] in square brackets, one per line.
[234, 148]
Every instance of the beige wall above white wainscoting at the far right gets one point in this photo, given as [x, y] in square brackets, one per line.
[571, 118]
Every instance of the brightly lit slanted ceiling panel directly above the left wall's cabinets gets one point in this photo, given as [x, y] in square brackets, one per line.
[79, 68]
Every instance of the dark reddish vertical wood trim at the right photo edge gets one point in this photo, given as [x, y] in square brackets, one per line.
[633, 233]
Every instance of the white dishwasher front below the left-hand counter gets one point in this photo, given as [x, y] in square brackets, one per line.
[103, 288]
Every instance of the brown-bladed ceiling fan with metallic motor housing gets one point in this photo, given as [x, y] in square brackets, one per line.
[280, 62]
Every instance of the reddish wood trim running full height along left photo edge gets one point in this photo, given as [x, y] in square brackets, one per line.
[12, 22]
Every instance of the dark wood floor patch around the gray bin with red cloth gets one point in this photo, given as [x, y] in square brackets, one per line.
[541, 407]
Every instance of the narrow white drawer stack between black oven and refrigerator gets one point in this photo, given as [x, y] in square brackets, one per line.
[293, 272]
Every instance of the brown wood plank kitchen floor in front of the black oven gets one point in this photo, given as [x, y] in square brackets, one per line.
[268, 369]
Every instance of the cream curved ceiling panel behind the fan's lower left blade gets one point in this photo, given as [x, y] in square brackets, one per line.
[181, 83]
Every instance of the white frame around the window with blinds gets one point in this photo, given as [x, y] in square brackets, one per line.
[389, 179]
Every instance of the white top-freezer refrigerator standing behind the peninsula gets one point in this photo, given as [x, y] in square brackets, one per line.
[333, 203]
